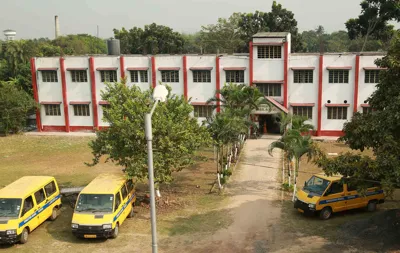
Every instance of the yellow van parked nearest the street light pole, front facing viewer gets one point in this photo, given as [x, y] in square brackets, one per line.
[102, 206]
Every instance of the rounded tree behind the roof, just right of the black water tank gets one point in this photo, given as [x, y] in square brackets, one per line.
[153, 39]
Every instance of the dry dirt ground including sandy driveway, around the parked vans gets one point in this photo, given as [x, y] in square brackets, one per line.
[252, 215]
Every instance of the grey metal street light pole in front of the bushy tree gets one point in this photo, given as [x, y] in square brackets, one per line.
[149, 138]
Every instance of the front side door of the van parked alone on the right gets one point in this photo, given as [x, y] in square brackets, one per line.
[334, 197]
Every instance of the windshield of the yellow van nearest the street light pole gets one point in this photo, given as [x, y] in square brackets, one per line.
[95, 203]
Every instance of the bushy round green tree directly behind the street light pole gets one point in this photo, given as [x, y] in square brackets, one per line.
[176, 135]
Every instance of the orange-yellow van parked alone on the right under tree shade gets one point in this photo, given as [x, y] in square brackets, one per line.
[331, 194]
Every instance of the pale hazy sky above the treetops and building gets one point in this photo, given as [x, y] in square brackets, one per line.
[34, 19]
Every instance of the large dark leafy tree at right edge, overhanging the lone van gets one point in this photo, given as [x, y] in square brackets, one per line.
[378, 130]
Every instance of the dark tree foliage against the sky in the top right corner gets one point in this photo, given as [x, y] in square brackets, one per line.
[373, 20]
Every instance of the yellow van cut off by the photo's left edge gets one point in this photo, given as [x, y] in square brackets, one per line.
[25, 204]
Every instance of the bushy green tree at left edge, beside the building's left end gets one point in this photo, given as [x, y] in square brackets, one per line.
[14, 106]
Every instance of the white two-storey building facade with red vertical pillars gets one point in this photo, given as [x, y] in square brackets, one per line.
[326, 88]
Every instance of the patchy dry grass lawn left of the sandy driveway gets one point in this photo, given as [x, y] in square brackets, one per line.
[186, 207]
